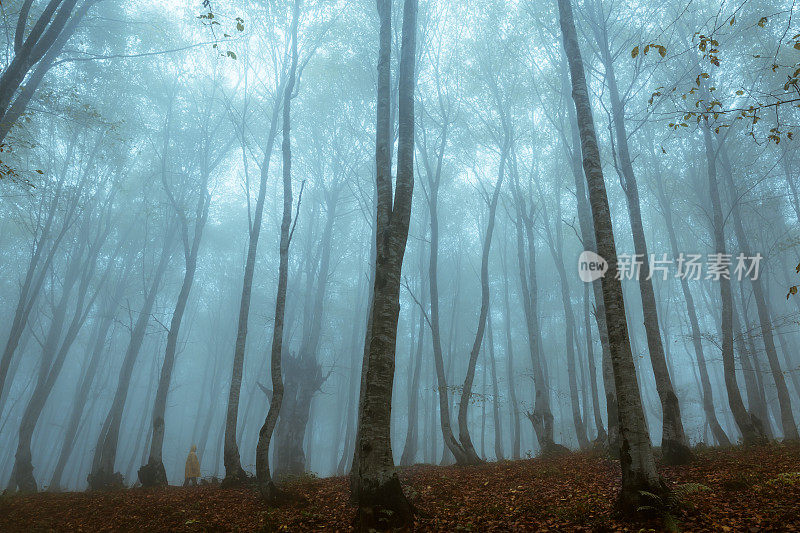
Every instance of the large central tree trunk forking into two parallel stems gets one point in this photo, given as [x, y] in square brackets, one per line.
[379, 496]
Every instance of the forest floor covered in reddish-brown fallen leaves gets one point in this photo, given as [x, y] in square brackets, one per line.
[755, 489]
